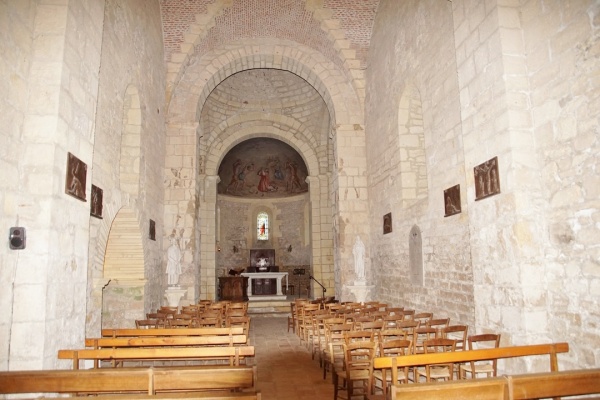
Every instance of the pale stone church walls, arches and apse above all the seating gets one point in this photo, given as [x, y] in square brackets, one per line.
[439, 155]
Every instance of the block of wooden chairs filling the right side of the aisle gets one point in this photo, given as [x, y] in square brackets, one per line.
[347, 337]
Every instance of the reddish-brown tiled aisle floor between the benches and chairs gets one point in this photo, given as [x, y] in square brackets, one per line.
[285, 368]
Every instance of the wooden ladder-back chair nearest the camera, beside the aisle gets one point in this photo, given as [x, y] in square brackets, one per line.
[358, 368]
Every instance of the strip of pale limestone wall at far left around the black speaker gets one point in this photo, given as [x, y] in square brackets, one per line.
[16, 29]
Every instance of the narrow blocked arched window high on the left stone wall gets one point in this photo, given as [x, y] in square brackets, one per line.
[129, 164]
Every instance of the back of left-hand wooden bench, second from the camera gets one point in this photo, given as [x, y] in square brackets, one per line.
[231, 354]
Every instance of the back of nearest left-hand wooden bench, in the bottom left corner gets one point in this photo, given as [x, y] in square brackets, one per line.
[128, 380]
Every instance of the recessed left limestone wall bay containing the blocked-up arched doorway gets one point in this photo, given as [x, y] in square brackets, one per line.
[129, 154]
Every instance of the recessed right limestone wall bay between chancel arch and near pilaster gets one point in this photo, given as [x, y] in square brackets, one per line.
[414, 151]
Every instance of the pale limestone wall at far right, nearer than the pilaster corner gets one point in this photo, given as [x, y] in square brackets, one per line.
[562, 44]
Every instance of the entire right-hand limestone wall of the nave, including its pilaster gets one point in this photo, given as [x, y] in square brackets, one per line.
[472, 81]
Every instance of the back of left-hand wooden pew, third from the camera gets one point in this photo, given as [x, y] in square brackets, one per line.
[166, 341]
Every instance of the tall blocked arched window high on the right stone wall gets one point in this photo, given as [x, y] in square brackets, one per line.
[411, 139]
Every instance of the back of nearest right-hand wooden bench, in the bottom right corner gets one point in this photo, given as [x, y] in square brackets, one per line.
[510, 387]
